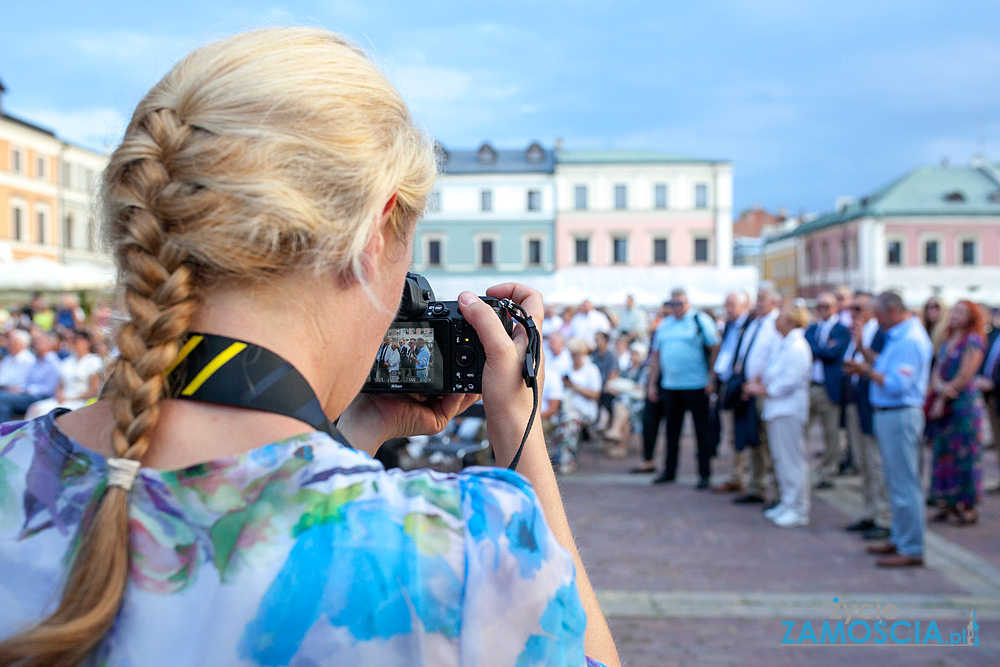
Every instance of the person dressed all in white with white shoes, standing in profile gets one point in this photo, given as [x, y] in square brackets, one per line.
[785, 388]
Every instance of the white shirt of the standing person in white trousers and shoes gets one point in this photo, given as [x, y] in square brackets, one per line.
[786, 378]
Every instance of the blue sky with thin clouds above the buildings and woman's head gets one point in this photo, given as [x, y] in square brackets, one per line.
[809, 100]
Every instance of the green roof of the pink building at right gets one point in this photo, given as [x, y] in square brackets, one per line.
[971, 190]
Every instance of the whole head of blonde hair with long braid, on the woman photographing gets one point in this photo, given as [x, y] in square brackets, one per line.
[269, 151]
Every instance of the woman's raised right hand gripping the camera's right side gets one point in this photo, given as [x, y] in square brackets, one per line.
[506, 398]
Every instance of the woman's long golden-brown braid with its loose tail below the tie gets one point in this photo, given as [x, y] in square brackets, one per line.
[160, 298]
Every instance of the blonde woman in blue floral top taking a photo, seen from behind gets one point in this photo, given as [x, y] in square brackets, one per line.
[266, 190]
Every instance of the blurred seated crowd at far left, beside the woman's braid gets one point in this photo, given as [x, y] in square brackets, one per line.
[51, 357]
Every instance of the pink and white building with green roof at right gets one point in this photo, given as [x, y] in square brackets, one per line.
[934, 231]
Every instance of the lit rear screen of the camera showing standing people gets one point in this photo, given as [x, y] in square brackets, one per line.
[409, 358]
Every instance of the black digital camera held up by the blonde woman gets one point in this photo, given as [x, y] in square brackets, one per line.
[430, 348]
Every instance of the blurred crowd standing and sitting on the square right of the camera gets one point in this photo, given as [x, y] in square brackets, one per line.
[892, 391]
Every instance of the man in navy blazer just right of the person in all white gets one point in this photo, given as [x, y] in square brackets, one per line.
[828, 339]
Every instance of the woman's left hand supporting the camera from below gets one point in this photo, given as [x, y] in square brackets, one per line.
[371, 419]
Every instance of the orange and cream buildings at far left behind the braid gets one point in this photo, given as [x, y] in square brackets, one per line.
[47, 188]
